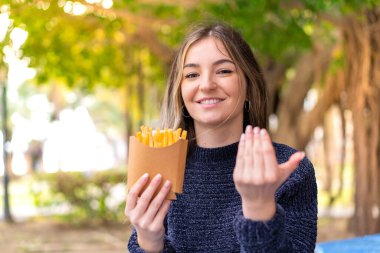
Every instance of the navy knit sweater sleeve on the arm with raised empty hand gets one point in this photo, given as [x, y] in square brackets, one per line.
[293, 228]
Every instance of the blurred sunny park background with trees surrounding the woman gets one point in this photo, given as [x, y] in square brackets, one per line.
[78, 77]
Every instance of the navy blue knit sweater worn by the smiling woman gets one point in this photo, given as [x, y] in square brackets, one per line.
[208, 217]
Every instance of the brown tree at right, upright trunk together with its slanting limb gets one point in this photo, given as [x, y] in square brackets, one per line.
[359, 80]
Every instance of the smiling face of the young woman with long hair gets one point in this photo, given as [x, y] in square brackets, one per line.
[213, 87]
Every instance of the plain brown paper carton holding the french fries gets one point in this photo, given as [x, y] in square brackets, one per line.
[169, 161]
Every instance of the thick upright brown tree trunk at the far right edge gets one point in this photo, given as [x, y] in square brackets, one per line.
[362, 56]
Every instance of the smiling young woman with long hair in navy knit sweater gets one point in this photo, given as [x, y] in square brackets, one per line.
[242, 193]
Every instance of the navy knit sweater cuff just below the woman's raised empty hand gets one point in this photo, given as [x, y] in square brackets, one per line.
[258, 233]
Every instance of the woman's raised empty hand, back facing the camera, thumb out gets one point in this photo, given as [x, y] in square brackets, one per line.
[257, 175]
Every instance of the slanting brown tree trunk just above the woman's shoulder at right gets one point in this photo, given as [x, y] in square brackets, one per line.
[296, 126]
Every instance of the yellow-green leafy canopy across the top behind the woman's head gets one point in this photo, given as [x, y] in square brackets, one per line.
[115, 47]
